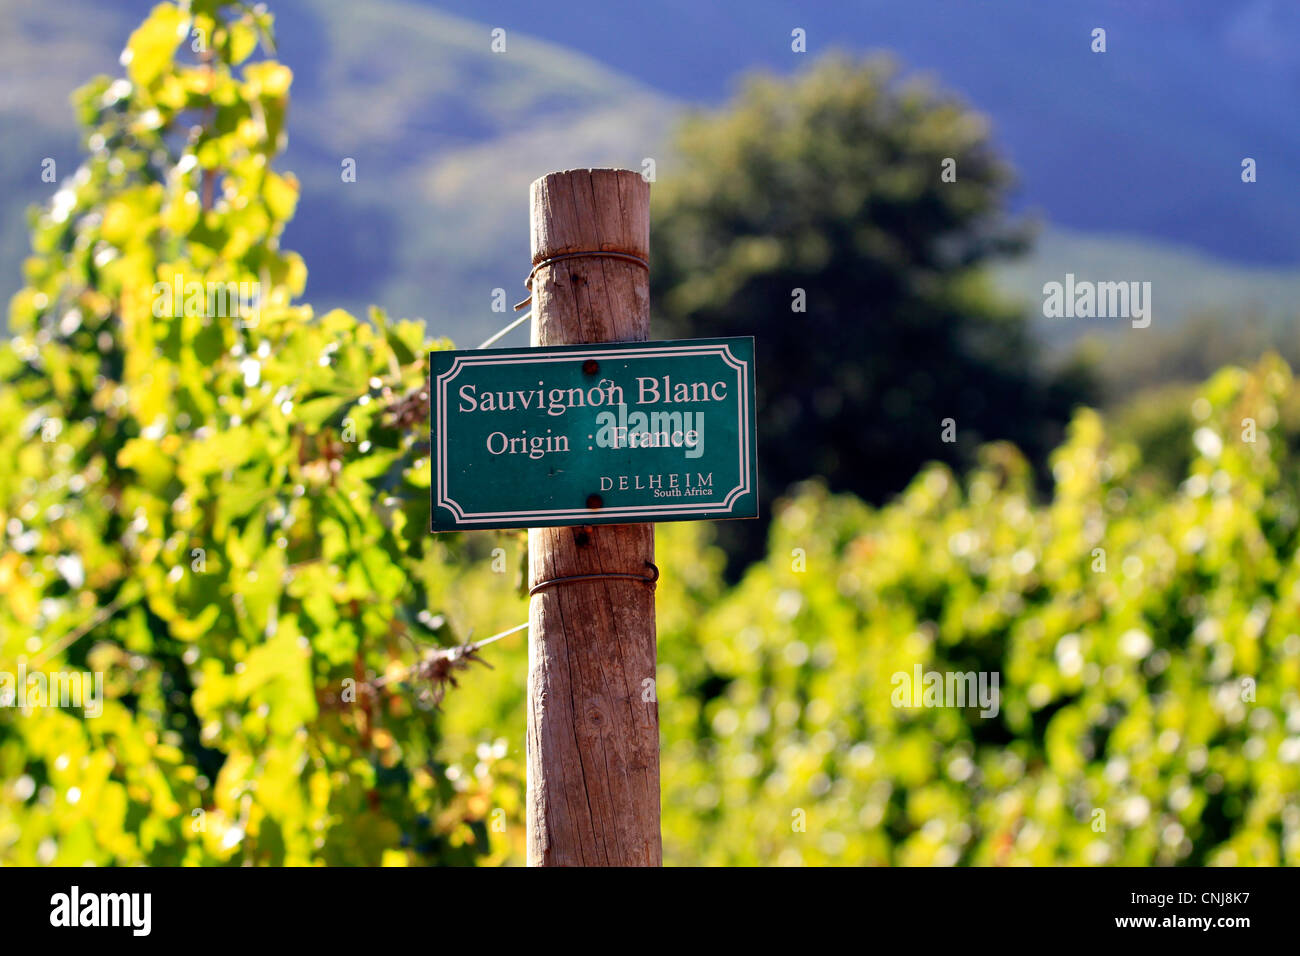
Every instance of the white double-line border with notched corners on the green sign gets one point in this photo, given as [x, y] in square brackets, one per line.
[462, 362]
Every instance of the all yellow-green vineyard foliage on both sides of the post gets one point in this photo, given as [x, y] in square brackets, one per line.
[224, 512]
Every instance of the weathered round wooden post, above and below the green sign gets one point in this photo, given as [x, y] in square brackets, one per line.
[593, 719]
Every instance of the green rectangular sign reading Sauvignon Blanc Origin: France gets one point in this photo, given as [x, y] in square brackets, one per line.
[593, 434]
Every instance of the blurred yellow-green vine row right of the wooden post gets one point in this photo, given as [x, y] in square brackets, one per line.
[1160, 687]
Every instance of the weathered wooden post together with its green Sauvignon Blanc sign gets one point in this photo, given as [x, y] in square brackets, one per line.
[587, 439]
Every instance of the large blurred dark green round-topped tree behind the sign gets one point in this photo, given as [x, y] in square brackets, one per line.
[843, 219]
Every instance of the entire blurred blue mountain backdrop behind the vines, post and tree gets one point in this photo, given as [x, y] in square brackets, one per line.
[1143, 142]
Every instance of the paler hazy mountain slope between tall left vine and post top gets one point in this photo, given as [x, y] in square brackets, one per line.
[445, 135]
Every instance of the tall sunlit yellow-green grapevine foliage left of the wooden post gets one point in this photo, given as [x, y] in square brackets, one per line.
[223, 511]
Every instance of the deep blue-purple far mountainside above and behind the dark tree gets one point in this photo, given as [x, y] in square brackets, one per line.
[1146, 139]
